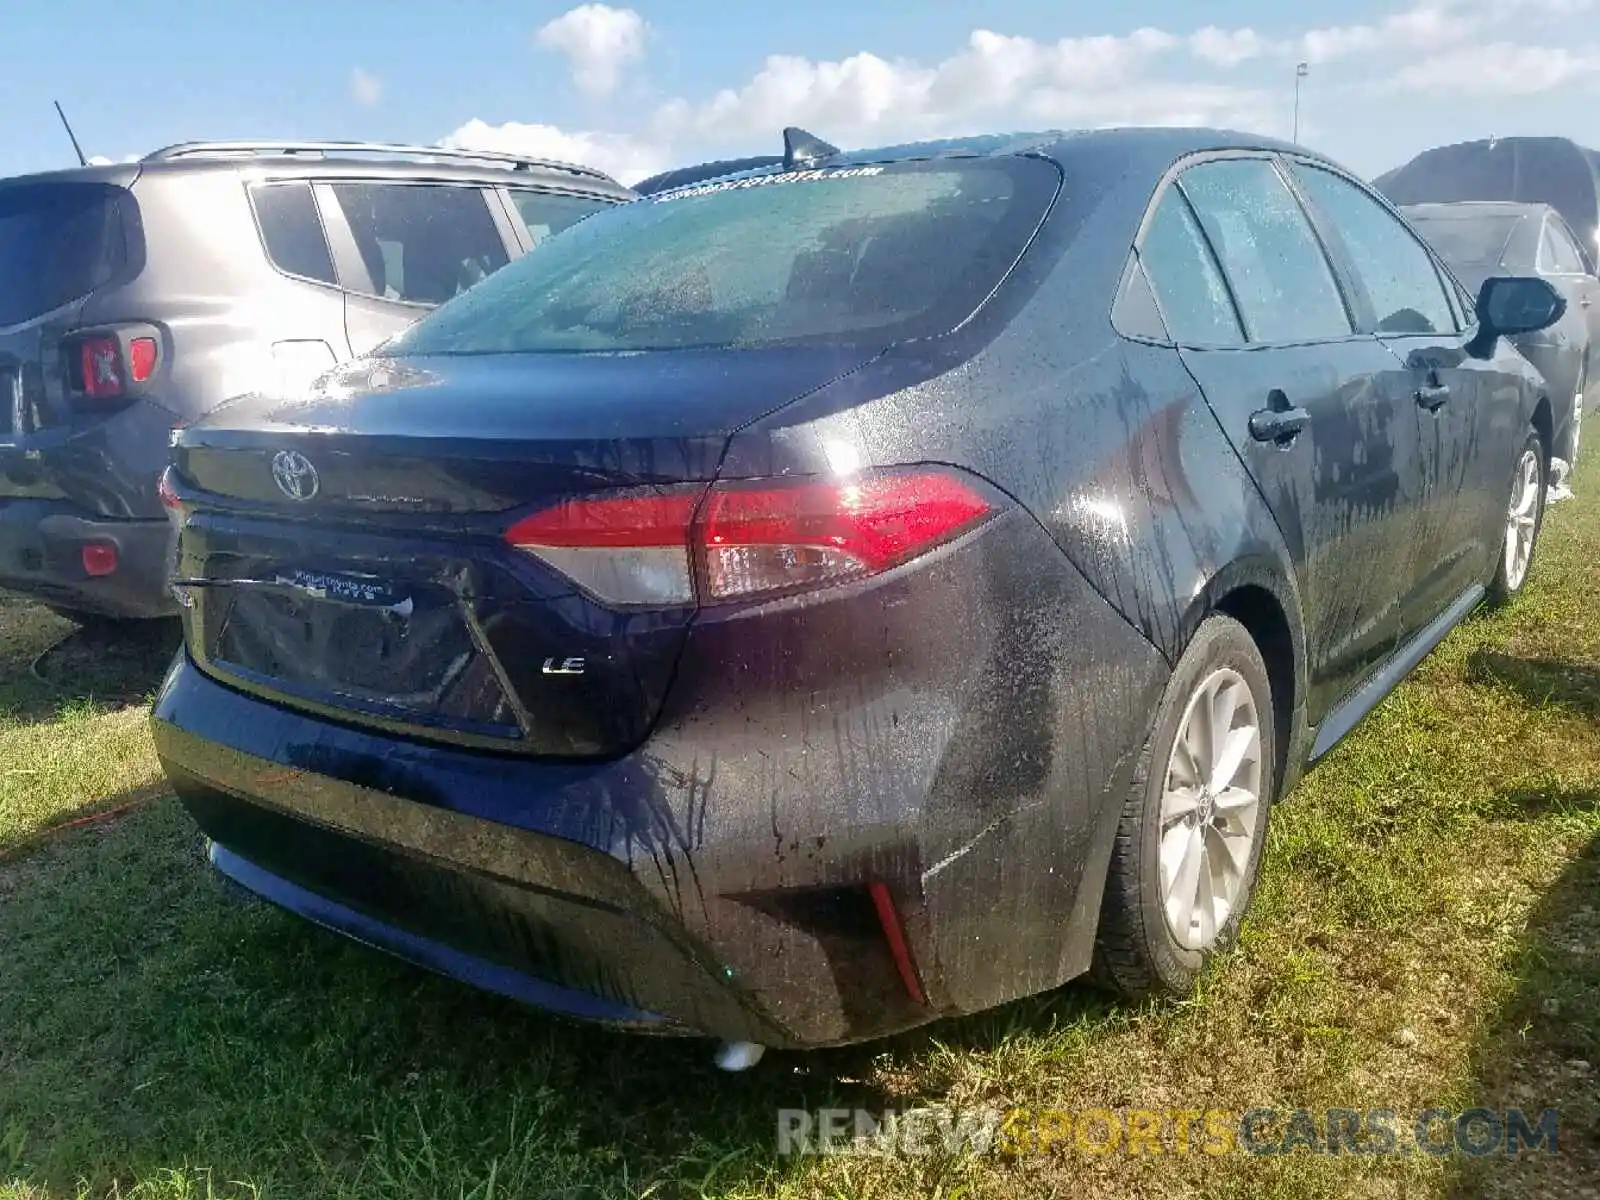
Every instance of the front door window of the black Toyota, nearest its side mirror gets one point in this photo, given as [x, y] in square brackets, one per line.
[1398, 273]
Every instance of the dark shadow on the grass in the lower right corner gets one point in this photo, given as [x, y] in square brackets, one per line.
[1543, 1049]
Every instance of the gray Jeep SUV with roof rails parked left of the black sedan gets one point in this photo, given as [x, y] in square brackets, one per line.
[137, 298]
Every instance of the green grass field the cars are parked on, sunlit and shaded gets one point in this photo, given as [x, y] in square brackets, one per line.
[1428, 934]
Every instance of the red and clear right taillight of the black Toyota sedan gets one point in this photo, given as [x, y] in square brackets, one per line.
[742, 542]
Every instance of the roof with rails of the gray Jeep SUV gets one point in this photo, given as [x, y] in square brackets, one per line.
[366, 161]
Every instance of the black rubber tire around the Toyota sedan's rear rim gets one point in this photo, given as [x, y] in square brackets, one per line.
[1137, 950]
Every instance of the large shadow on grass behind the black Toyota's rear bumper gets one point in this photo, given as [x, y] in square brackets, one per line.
[156, 1018]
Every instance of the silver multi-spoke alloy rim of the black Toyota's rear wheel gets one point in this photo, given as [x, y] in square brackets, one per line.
[1210, 809]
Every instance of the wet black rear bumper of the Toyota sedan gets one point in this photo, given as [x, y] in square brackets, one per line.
[889, 807]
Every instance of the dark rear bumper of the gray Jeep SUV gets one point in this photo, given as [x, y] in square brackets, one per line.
[42, 556]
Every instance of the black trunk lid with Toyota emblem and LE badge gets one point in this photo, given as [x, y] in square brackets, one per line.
[346, 553]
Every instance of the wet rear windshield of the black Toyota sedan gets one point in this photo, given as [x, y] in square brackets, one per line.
[857, 254]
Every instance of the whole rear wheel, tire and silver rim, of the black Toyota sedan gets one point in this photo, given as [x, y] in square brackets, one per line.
[1194, 822]
